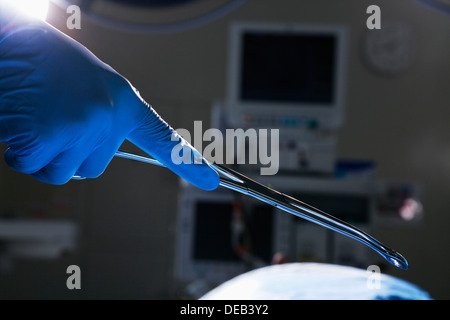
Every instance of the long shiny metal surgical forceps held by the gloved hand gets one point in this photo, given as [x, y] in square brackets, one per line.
[240, 183]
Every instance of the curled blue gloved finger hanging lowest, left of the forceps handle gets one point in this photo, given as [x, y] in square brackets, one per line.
[63, 167]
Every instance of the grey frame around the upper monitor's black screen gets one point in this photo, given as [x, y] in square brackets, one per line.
[327, 116]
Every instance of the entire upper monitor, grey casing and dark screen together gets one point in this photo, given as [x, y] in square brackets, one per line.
[286, 75]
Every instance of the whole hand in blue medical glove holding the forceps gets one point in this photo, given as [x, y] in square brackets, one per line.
[63, 112]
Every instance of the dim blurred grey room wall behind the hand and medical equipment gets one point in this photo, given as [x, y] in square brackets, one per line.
[127, 216]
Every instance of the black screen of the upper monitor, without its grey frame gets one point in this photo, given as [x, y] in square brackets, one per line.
[288, 67]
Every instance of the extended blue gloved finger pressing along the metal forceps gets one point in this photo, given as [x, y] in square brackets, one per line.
[158, 139]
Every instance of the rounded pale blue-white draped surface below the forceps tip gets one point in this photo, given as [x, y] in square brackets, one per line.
[315, 281]
